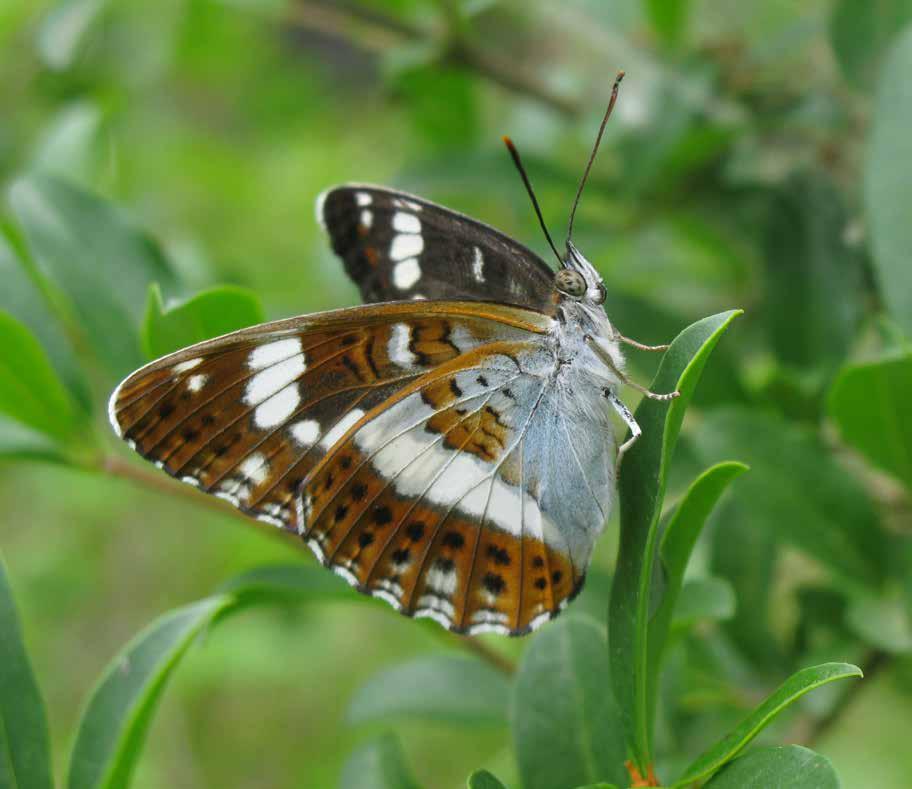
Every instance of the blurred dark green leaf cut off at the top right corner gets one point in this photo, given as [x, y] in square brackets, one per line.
[860, 33]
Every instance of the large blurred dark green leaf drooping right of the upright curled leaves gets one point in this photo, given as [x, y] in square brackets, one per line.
[797, 492]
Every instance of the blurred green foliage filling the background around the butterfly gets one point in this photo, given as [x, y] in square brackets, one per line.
[759, 157]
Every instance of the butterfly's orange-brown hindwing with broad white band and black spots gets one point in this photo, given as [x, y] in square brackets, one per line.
[426, 502]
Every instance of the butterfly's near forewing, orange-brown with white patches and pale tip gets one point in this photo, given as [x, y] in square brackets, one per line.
[247, 416]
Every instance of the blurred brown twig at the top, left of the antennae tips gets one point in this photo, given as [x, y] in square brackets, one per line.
[379, 31]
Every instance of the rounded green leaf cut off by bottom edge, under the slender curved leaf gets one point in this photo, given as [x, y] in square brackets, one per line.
[785, 767]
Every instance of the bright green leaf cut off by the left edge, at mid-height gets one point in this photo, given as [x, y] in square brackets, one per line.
[30, 391]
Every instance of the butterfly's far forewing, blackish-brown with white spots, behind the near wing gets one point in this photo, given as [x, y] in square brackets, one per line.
[396, 246]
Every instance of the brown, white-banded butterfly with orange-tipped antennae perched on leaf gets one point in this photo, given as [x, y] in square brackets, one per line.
[447, 447]
